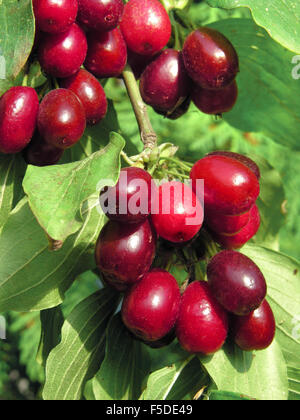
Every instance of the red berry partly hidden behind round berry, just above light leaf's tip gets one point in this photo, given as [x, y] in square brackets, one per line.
[91, 94]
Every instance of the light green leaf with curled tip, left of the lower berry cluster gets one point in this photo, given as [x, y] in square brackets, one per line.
[57, 193]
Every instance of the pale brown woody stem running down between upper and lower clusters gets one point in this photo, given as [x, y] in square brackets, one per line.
[148, 135]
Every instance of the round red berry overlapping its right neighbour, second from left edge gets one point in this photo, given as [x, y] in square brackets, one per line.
[61, 118]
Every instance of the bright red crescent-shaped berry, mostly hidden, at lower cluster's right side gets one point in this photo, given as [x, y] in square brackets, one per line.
[239, 239]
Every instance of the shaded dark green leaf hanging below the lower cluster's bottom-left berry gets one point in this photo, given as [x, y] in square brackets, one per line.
[125, 366]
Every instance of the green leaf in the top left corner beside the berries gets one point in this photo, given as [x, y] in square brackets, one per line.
[16, 39]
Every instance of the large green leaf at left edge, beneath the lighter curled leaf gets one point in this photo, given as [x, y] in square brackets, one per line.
[31, 276]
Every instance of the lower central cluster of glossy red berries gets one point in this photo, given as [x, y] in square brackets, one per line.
[154, 309]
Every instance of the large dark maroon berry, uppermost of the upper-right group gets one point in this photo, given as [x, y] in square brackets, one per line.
[210, 58]
